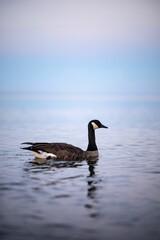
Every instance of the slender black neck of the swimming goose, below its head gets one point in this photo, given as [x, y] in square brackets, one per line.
[91, 139]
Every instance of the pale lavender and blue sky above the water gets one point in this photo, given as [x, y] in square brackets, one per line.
[80, 46]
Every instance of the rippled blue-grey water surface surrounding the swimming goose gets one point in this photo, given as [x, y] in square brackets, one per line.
[116, 197]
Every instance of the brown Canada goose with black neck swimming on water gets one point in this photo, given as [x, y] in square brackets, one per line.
[66, 151]
